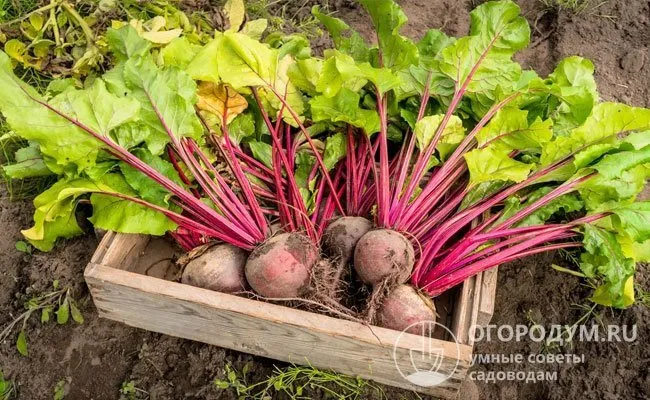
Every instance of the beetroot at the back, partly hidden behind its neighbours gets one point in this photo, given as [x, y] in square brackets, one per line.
[341, 236]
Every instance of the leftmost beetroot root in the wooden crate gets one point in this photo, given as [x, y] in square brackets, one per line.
[219, 268]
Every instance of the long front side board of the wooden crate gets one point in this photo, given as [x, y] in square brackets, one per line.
[271, 330]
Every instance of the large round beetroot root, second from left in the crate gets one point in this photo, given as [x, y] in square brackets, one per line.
[281, 267]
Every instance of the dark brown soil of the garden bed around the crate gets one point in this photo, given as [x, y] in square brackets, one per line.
[95, 358]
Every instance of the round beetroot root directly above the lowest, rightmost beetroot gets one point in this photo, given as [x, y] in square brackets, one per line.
[383, 254]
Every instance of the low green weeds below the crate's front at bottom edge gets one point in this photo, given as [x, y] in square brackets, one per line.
[296, 382]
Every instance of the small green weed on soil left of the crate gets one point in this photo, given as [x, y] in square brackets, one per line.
[58, 302]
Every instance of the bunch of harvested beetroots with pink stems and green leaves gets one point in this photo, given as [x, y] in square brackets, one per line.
[403, 168]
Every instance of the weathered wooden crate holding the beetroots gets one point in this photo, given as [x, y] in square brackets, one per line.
[123, 290]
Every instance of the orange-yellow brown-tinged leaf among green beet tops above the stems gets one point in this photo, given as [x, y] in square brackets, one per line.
[221, 100]
